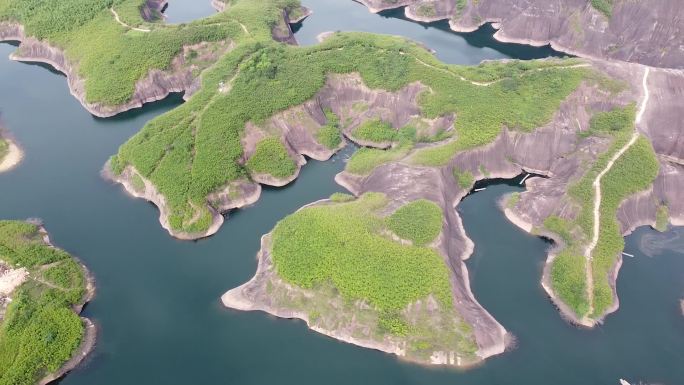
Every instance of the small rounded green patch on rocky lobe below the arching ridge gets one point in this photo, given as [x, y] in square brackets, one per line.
[271, 157]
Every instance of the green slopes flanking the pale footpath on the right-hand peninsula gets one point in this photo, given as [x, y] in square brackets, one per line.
[634, 171]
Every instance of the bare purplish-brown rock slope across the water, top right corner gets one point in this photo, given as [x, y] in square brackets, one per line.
[647, 32]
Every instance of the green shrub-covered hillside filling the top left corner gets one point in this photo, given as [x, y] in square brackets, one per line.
[112, 57]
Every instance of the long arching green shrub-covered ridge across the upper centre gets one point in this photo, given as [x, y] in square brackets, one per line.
[196, 149]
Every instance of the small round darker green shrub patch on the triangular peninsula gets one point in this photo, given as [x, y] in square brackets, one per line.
[419, 221]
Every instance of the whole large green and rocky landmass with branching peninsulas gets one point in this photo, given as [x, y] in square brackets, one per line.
[382, 268]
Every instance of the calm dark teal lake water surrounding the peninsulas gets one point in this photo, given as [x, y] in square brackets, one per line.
[157, 303]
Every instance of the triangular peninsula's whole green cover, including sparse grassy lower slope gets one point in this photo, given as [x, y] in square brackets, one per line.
[342, 249]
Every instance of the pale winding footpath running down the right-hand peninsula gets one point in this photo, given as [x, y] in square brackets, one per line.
[597, 192]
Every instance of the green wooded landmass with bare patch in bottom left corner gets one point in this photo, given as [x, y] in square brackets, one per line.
[42, 292]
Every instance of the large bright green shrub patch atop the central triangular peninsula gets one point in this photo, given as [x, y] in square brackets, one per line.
[342, 244]
